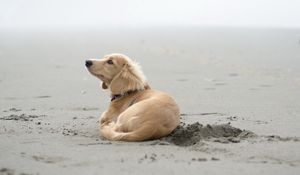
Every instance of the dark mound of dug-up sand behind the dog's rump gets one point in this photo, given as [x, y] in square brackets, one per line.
[187, 135]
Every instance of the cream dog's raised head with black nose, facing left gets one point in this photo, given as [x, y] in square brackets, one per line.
[118, 73]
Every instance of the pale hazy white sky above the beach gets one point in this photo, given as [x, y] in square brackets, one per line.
[135, 13]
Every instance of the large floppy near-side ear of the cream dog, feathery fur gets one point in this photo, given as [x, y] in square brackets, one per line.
[130, 78]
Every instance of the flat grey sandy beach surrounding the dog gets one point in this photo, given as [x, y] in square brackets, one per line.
[238, 90]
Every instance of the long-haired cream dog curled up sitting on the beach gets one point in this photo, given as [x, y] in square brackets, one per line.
[136, 112]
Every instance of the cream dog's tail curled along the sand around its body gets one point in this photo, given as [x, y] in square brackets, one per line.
[143, 133]
